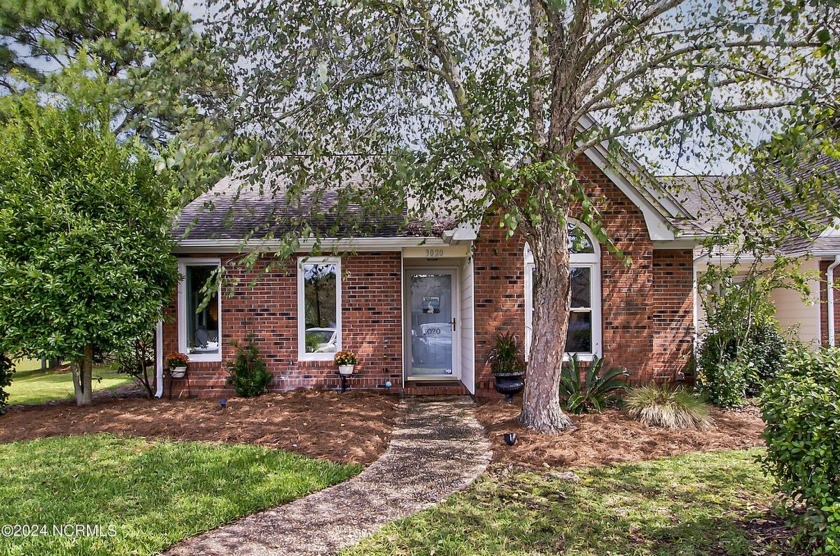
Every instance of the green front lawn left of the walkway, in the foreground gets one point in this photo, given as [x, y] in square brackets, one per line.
[151, 494]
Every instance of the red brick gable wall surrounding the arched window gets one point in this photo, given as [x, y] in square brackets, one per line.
[647, 307]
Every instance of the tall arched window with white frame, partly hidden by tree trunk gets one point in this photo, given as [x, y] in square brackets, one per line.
[584, 334]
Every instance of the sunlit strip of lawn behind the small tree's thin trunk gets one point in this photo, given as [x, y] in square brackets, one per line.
[37, 386]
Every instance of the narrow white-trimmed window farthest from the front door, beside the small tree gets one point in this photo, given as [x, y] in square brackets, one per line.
[199, 310]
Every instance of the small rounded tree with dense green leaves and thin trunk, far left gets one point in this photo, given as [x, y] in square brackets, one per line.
[85, 254]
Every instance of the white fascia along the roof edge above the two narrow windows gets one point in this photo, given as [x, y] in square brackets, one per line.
[351, 244]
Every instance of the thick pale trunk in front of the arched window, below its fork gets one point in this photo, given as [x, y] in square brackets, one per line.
[541, 402]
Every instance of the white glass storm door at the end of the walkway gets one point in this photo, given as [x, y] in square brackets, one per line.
[431, 324]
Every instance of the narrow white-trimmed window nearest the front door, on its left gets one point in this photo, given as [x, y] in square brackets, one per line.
[319, 308]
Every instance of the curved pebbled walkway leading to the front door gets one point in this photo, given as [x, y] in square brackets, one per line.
[437, 448]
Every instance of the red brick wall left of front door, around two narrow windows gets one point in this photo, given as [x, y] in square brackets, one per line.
[265, 303]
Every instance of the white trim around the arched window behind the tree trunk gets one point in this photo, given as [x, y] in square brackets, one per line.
[581, 260]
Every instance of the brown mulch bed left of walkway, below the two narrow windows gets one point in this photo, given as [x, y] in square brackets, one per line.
[354, 427]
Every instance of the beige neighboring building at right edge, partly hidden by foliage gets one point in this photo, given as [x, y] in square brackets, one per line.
[812, 317]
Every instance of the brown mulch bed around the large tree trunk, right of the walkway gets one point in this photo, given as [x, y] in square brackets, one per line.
[612, 437]
